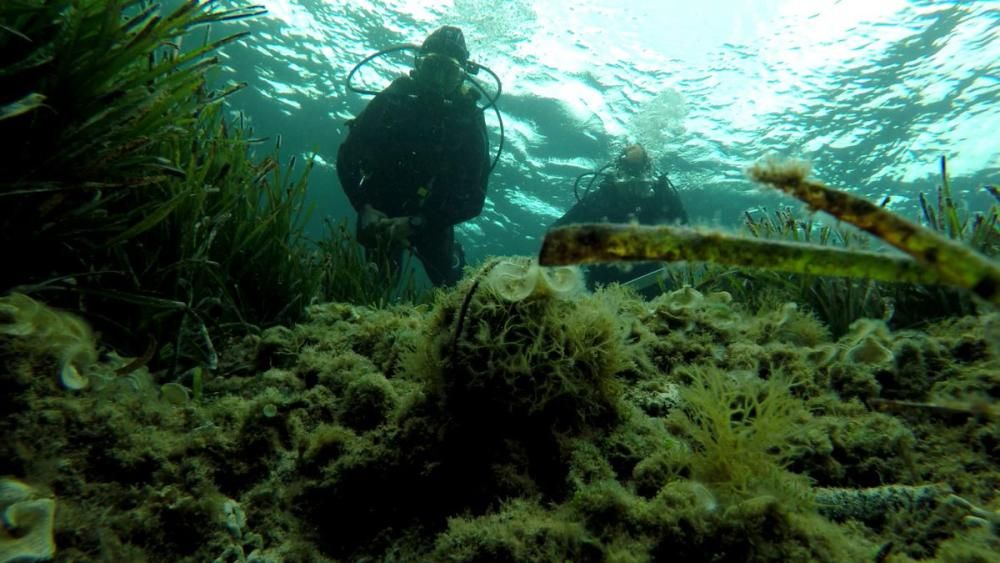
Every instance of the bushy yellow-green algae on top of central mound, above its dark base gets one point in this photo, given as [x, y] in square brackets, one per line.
[526, 346]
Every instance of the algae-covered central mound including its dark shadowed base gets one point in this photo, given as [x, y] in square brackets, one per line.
[502, 407]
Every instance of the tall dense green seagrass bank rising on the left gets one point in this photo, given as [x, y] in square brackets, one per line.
[130, 195]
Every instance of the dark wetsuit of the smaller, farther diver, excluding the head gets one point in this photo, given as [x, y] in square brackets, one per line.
[613, 203]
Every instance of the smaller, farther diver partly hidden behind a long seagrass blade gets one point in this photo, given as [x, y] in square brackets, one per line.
[630, 191]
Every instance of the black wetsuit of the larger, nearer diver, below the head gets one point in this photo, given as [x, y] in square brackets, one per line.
[419, 155]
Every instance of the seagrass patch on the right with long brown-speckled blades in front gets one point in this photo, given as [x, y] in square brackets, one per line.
[831, 270]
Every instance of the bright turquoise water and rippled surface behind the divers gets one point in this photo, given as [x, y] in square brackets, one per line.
[873, 93]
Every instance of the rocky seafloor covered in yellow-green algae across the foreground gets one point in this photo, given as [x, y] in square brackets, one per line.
[514, 419]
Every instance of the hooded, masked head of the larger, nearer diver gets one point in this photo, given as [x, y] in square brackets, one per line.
[440, 64]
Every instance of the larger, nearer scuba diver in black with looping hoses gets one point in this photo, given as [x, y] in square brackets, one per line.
[416, 160]
